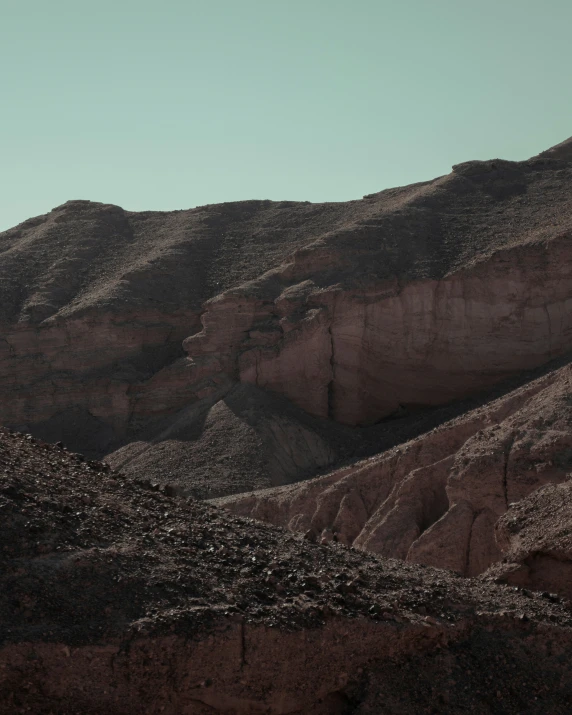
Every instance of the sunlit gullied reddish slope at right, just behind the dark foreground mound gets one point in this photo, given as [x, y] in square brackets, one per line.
[436, 500]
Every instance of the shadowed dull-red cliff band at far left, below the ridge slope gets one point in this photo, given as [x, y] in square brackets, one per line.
[72, 378]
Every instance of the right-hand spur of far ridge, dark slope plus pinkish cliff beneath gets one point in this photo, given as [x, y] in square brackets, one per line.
[387, 313]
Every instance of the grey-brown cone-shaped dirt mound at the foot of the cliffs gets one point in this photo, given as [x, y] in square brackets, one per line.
[248, 439]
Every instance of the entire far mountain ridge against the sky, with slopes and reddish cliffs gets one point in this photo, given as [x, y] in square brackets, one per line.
[138, 331]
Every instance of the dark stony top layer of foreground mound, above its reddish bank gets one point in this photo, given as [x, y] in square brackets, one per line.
[88, 554]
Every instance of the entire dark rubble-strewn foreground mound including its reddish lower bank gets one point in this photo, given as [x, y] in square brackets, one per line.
[116, 598]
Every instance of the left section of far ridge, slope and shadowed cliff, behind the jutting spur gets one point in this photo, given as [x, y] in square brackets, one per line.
[95, 301]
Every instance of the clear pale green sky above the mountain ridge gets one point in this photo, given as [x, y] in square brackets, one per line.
[171, 104]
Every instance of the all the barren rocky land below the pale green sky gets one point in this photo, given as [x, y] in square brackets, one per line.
[385, 382]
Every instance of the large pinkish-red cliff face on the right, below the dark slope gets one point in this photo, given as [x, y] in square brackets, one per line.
[358, 355]
